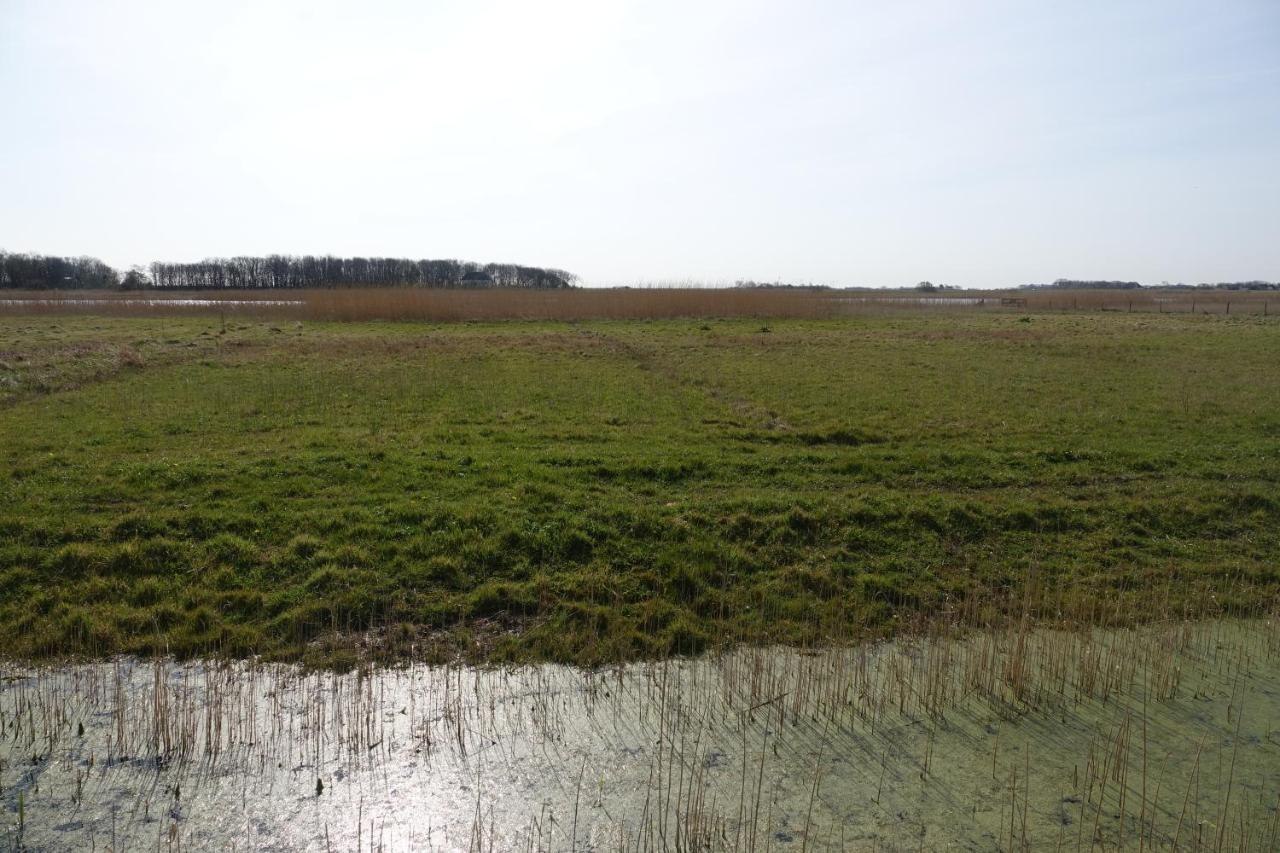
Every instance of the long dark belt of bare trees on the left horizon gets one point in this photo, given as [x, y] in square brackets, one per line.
[42, 272]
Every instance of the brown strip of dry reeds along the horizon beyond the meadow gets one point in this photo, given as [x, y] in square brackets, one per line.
[621, 304]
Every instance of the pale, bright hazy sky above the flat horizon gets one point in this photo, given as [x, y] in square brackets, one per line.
[845, 143]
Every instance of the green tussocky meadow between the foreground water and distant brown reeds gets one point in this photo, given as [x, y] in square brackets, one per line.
[607, 491]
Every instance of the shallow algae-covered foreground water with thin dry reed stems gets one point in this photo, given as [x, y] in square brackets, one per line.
[1160, 738]
